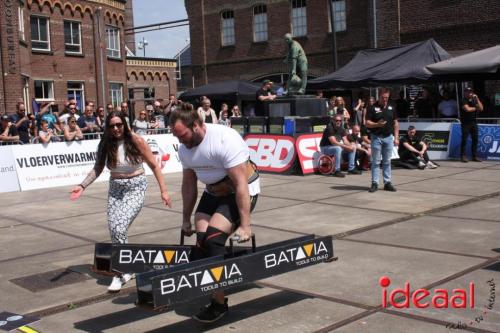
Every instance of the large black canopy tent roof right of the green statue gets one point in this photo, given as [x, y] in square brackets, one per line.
[396, 65]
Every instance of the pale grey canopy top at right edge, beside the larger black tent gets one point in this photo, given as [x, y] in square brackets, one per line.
[479, 65]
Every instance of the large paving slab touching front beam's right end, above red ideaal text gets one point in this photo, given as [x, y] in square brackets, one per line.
[355, 276]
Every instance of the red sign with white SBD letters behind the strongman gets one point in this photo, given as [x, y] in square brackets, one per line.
[274, 153]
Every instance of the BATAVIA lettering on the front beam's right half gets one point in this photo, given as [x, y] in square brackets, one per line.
[300, 255]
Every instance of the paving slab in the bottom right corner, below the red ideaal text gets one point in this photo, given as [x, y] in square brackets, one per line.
[482, 291]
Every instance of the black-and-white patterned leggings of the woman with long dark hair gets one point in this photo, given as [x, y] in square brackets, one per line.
[125, 200]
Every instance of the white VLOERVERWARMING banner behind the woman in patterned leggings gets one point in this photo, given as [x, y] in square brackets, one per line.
[67, 163]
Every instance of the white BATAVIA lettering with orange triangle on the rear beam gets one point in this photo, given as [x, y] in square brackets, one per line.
[158, 258]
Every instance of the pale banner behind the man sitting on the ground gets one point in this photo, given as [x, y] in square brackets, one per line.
[435, 135]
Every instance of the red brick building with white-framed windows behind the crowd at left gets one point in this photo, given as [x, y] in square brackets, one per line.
[55, 49]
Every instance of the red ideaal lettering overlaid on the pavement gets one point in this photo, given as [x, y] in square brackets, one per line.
[422, 298]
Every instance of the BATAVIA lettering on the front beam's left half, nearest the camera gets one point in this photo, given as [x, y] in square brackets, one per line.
[208, 279]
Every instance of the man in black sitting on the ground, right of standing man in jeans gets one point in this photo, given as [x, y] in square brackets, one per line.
[414, 151]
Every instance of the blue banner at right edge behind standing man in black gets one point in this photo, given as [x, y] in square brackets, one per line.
[488, 146]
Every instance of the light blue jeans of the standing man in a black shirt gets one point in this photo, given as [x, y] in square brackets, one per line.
[382, 146]
